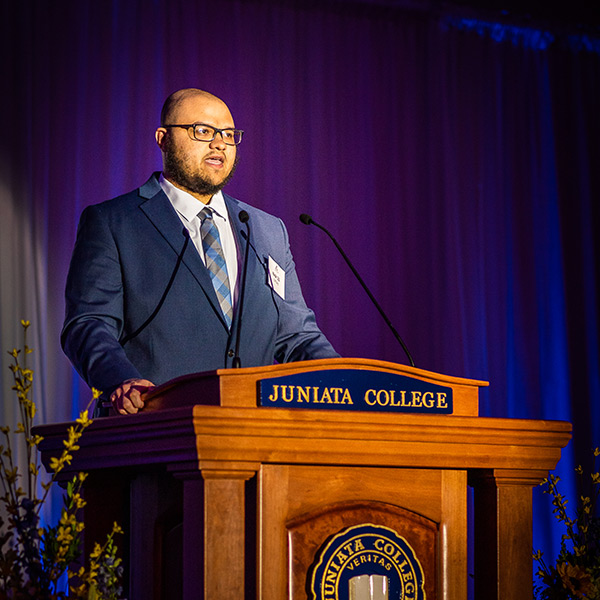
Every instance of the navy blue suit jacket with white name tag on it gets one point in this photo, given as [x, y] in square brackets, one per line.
[125, 253]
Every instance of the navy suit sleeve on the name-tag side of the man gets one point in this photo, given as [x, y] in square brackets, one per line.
[298, 335]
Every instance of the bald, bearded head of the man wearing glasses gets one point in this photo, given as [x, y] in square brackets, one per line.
[200, 168]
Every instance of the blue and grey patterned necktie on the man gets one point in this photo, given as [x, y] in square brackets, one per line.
[215, 262]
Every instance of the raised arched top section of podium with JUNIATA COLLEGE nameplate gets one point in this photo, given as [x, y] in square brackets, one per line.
[324, 383]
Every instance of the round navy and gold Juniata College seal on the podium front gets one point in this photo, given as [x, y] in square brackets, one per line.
[366, 562]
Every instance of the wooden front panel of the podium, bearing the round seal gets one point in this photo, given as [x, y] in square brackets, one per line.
[302, 508]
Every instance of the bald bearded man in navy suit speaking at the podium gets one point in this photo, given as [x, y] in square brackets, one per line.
[154, 288]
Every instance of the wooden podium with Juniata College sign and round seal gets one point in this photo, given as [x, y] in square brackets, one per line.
[221, 498]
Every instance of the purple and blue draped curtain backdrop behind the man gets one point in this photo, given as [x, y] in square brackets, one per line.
[456, 161]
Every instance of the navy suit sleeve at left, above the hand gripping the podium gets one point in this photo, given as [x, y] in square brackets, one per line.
[94, 306]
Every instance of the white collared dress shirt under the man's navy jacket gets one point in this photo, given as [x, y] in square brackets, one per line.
[188, 207]
